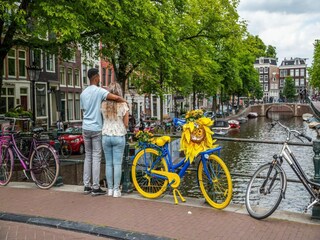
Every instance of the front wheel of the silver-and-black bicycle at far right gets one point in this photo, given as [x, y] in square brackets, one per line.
[264, 191]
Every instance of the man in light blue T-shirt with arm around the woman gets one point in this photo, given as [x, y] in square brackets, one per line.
[90, 102]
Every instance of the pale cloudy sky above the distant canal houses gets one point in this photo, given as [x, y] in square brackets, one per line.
[292, 26]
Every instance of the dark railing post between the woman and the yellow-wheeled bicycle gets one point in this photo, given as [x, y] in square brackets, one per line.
[126, 184]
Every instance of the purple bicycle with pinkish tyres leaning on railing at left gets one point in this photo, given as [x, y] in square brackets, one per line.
[41, 161]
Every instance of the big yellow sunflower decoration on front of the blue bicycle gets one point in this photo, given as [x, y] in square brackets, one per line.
[196, 135]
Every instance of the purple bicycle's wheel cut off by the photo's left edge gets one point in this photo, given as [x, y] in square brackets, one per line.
[6, 165]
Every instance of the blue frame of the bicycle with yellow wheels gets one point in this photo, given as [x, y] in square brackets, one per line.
[183, 164]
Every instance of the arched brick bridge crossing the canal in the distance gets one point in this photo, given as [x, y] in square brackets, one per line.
[297, 109]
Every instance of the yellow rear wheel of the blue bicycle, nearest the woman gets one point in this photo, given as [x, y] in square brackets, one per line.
[147, 185]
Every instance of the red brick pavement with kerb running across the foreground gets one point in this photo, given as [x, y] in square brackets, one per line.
[133, 217]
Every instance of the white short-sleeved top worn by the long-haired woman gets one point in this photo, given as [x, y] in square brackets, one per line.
[114, 127]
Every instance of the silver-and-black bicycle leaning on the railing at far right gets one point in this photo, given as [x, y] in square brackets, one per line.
[268, 184]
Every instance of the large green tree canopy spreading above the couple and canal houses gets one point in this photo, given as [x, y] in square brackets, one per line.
[177, 46]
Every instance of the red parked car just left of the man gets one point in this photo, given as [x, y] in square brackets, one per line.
[75, 139]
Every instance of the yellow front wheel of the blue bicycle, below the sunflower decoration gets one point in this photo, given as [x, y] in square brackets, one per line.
[215, 182]
